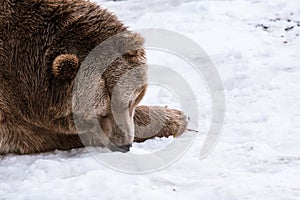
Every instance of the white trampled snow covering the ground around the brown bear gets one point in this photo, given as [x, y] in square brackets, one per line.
[257, 53]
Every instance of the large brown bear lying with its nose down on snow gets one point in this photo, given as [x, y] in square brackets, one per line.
[42, 46]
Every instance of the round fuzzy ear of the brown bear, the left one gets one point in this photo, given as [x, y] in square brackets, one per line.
[65, 66]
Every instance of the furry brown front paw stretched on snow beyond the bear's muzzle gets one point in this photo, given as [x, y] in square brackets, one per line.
[153, 121]
